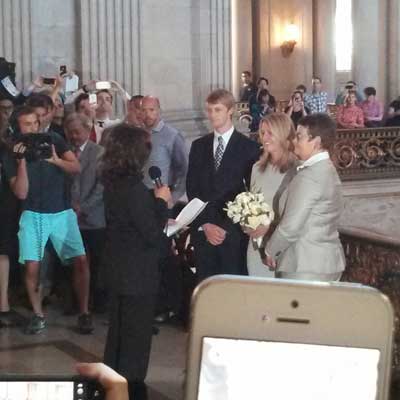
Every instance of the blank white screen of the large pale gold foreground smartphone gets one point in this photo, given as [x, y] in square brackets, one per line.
[247, 369]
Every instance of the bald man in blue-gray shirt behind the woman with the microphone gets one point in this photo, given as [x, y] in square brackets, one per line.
[168, 152]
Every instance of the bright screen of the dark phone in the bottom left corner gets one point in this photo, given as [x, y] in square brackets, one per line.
[37, 390]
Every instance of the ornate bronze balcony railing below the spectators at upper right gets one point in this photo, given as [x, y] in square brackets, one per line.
[368, 153]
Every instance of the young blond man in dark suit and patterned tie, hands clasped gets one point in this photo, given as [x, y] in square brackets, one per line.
[220, 165]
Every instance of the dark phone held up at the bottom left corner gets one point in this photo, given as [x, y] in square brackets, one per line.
[37, 387]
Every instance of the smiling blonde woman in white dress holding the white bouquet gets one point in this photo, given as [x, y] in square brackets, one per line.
[271, 175]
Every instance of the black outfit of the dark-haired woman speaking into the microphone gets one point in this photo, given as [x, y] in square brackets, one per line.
[135, 221]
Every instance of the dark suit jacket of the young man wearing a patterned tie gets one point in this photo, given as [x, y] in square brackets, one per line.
[219, 187]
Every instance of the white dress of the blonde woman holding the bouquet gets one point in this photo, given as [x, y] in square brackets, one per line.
[268, 182]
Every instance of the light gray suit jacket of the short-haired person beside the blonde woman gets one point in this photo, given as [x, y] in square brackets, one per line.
[306, 239]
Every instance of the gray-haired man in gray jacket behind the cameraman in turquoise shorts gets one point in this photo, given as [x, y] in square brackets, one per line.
[87, 199]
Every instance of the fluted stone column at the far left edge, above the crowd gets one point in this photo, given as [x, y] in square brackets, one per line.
[15, 37]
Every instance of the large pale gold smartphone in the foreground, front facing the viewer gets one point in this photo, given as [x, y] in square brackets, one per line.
[282, 340]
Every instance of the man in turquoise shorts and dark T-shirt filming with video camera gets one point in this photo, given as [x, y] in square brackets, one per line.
[47, 215]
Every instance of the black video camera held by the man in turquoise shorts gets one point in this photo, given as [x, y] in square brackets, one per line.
[38, 146]
